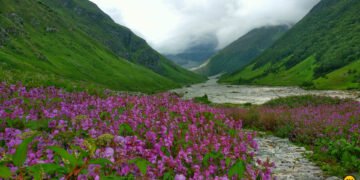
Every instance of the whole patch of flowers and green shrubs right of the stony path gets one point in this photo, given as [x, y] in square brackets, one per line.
[330, 127]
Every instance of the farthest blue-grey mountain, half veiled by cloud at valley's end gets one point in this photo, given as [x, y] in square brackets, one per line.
[196, 54]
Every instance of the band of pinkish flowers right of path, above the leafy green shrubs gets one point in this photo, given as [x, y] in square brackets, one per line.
[309, 123]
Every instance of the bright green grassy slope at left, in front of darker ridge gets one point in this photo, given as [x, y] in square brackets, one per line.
[67, 53]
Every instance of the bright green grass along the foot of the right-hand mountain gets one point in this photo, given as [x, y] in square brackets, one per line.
[345, 78]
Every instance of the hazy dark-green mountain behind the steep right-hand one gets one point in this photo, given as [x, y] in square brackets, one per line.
[243, 50]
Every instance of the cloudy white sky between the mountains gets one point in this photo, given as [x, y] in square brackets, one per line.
[172, 26]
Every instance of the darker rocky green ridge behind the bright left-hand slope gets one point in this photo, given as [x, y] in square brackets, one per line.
[120, 40]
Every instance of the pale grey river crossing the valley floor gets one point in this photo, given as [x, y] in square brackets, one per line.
[240, 94]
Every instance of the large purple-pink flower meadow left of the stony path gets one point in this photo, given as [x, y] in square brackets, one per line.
[49, 133]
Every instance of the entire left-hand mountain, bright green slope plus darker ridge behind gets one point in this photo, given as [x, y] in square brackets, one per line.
[74, 41]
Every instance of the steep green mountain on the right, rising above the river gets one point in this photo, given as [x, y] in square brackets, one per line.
[321, 51]
